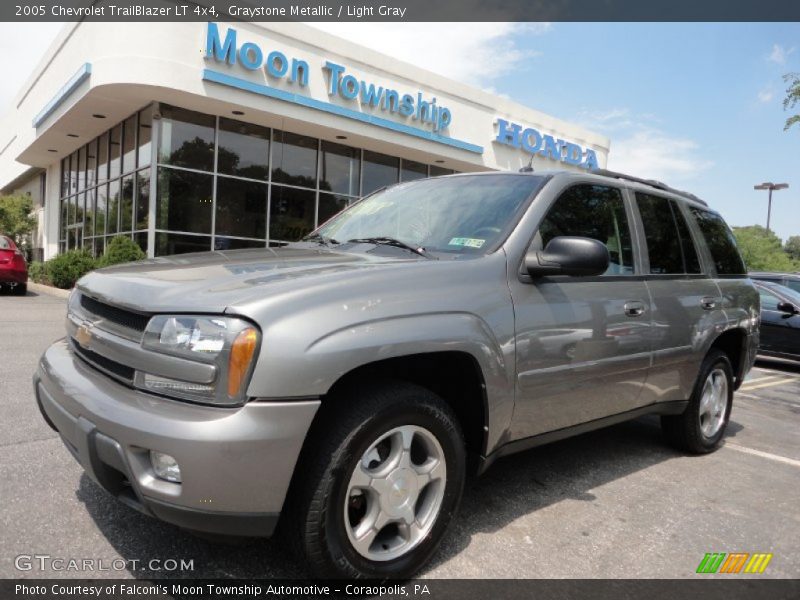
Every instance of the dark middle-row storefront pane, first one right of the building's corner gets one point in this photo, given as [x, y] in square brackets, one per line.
[184, 200]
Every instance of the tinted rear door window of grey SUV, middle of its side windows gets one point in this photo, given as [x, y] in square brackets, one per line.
[669, 243]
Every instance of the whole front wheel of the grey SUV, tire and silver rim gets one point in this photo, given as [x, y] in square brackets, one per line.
[379, 483]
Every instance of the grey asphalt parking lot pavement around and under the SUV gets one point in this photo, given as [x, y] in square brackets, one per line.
[616, 503]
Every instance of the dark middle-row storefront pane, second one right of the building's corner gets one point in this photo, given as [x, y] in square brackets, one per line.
[241, 208]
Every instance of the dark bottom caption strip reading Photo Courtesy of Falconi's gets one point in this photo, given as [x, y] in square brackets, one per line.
[433, 589]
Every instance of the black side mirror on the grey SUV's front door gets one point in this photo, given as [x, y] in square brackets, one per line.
[567, 255]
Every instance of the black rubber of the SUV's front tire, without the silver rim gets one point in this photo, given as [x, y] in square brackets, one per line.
[314, 522]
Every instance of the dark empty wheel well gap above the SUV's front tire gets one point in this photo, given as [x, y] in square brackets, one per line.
[455, 377]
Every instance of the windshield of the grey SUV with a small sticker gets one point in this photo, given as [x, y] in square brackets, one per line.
[461, 215]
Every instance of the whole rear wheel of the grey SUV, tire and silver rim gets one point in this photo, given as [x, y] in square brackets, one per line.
[701, 427]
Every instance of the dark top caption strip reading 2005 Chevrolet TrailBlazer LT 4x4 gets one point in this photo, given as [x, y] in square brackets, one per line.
[398, 10]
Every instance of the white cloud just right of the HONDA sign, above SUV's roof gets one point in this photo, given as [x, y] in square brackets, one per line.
[641, 147]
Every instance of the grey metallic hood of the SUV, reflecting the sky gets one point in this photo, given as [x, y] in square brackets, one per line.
[212, 281]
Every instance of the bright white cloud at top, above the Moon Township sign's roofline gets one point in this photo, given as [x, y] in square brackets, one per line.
[473, 53]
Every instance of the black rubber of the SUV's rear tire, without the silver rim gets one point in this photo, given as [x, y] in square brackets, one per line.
[684, 431]
